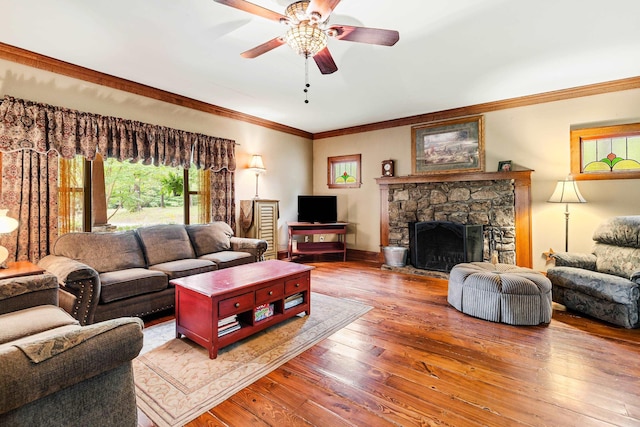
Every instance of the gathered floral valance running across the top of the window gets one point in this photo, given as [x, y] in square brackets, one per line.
[42, 128]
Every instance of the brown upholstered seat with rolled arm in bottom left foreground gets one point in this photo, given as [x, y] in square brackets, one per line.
[56, 372]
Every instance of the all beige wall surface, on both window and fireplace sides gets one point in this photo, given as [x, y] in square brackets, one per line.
[535, 137]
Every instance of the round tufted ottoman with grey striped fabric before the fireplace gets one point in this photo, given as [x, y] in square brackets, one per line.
[500, 293]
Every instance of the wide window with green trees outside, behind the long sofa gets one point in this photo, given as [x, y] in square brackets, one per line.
[125, 195]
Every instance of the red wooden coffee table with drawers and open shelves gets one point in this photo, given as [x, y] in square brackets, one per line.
[240, 294]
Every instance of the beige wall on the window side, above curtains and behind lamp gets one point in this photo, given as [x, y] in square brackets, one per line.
[286, 157]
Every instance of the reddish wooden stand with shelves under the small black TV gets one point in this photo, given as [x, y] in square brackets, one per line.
[317, 248]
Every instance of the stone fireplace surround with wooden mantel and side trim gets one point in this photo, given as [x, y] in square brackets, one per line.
[498, 201]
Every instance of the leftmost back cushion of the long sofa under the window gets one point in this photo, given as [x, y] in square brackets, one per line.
[102, 251]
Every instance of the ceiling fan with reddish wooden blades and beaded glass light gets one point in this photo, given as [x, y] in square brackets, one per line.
[309, 30]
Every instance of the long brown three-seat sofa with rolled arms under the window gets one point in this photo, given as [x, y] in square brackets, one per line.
[109, 275]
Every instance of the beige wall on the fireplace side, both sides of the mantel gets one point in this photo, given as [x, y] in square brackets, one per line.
[534, 137]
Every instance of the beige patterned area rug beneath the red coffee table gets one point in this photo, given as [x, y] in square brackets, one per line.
[176, 381]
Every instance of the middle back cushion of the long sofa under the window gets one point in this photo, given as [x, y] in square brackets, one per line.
[164, 243]
